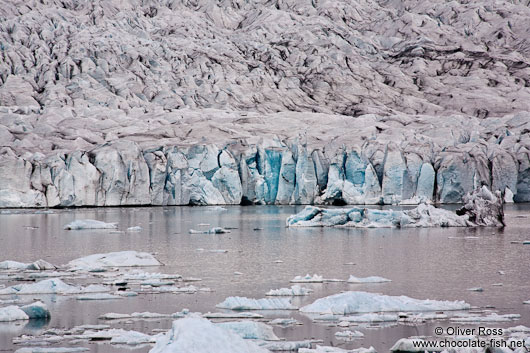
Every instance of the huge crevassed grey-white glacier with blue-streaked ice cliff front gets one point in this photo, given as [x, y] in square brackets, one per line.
[124, 102]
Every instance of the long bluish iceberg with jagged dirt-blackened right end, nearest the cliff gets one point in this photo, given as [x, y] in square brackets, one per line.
[482, 208]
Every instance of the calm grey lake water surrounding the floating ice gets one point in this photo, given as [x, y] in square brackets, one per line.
[422, 263]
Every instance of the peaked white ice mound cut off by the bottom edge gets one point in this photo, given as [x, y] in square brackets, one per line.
[188, 335]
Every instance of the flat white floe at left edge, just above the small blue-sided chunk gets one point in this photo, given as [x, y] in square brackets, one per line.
[51, 286]
